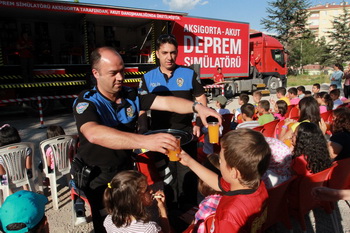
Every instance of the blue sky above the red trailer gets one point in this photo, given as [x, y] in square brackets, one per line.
[249, 11]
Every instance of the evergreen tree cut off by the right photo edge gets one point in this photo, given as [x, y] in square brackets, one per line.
[340, 37]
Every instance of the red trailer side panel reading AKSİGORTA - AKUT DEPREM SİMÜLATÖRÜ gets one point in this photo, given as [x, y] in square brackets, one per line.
[213, 44]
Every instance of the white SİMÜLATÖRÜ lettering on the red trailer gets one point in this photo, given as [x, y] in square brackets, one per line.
[213, 62]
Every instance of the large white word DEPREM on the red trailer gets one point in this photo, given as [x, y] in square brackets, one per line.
[218, 45]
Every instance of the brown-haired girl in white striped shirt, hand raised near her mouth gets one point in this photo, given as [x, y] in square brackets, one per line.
[126, 198]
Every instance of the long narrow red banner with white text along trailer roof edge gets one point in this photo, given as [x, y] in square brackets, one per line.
[76, 8]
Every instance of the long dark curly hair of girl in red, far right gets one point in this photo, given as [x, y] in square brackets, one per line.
[311, 143]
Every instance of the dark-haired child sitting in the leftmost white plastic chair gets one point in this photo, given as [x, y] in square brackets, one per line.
[10, 135]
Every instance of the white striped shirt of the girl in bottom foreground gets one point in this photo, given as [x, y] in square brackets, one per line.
[134, 227]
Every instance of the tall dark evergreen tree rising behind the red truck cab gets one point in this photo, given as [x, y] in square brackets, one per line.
[287, 18]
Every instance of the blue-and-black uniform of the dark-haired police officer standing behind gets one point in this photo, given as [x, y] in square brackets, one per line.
[182, 83]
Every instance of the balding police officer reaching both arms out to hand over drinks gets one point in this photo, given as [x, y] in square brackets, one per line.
[106, 120]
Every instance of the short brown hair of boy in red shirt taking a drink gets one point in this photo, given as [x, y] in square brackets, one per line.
[251, 157]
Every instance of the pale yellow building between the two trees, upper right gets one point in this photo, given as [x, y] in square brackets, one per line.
[321, 18]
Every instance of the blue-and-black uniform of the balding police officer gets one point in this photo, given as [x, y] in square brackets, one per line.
[92, 106]
